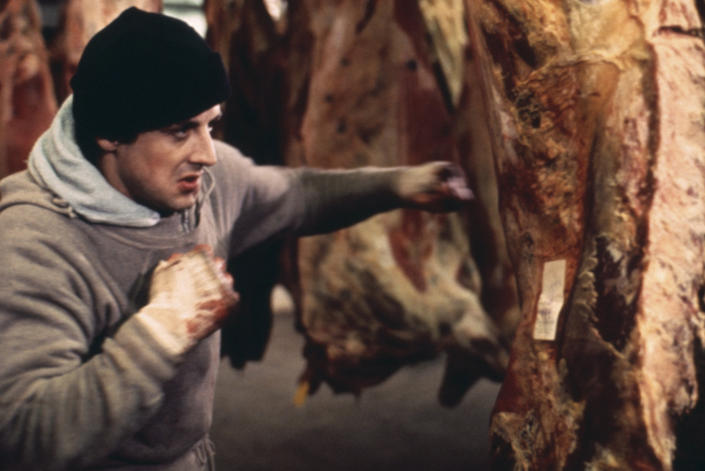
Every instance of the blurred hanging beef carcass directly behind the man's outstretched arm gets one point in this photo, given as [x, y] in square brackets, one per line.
[404, 285]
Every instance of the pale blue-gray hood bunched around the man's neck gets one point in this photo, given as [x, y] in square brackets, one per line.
[56, 163]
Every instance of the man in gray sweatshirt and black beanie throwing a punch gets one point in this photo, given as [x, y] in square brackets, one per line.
[112, 246]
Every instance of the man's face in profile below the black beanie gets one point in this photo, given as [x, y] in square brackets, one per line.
[163, 169]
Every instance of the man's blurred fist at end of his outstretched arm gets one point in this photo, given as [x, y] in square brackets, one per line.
[435, 186]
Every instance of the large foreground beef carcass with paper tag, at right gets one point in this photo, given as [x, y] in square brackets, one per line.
[596, 113]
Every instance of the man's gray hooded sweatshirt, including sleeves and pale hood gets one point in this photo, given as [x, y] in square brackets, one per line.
[84, 386]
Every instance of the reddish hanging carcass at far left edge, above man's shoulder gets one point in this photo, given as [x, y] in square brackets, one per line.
[27, 102]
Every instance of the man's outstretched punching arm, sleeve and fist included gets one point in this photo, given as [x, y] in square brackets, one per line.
[262, 202]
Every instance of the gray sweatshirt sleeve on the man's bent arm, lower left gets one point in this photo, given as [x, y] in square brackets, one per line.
[68, 396]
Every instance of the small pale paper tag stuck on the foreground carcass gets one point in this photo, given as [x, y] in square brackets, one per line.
[550, 300]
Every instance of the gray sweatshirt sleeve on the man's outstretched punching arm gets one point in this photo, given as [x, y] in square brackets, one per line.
[301, 201]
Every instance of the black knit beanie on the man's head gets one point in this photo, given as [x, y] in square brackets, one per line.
[142, 72]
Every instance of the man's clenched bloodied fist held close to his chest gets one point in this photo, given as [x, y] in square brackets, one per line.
[190, 296]
